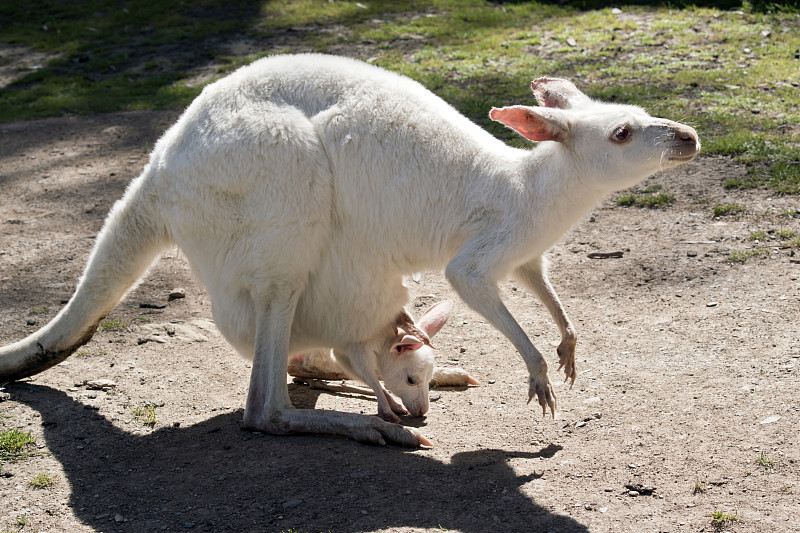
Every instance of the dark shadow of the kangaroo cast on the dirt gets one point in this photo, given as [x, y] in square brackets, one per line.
[213, 476]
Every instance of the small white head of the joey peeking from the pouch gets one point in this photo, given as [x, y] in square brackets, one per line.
[408, 368]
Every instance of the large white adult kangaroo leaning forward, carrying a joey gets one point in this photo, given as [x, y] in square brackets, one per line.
[287, 186]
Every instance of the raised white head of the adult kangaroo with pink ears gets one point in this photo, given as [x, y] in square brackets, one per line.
[612, 146]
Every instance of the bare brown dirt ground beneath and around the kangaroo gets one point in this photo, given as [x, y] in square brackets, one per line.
[688, 389]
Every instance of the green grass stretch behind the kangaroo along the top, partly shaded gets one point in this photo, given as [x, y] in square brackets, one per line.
[710, 66]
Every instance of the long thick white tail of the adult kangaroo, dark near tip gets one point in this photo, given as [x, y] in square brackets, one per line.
[133, 235]
